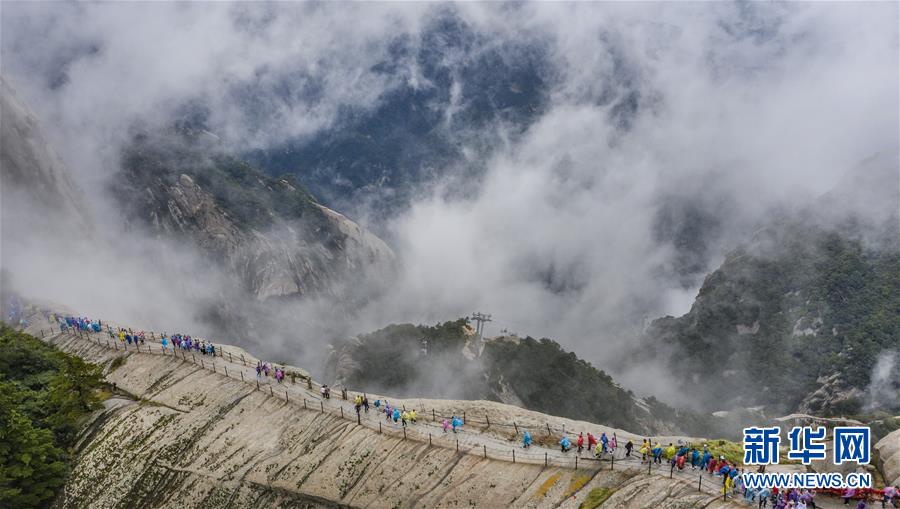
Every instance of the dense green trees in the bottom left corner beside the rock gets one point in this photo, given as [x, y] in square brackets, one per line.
[43, 395]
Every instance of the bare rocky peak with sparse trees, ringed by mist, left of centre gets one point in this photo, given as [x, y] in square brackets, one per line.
[277, 240]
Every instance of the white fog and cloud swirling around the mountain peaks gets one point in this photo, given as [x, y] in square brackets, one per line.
[654, 112]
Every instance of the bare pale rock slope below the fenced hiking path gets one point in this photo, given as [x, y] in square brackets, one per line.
[181, 434]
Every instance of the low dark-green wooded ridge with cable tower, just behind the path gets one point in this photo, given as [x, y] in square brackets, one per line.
[446, 361]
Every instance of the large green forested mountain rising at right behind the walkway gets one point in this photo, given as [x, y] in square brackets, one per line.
[797, 317]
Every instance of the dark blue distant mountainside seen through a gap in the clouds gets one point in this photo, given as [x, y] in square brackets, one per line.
[458, 87]
